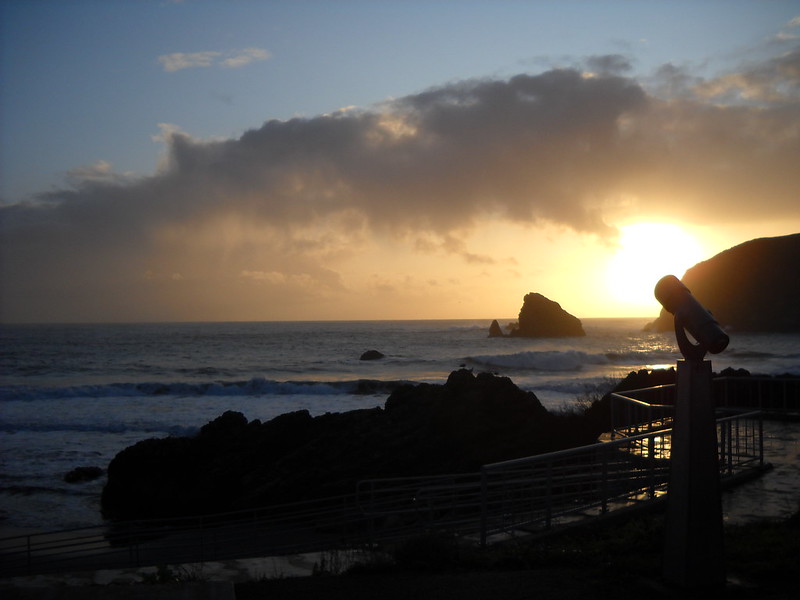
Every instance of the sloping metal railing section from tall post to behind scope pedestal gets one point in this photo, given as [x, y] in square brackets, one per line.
[534, 494]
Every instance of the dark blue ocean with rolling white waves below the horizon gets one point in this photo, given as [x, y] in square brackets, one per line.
[75, 395]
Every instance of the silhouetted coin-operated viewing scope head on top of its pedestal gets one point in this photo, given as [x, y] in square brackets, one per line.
[692, 317]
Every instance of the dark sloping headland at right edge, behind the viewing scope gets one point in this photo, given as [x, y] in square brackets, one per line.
[754, 286]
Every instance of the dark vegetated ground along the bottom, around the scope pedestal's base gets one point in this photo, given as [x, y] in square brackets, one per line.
[614, 559]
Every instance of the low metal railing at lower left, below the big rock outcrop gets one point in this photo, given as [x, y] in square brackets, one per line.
[325, 523]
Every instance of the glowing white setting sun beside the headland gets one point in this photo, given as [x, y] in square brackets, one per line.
[646, 252]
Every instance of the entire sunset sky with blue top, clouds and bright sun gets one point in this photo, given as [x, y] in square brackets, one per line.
[300, 160]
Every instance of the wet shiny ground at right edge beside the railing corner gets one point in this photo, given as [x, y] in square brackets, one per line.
[776, 494]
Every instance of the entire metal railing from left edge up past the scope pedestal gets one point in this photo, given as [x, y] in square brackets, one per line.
[511, 498]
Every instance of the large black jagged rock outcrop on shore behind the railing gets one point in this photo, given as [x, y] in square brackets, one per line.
[232, 464]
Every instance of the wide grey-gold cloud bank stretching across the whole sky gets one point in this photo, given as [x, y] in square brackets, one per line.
[272, 216]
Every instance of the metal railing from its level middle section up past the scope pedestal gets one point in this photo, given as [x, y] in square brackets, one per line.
[533, 494]
